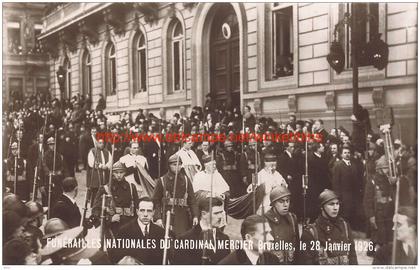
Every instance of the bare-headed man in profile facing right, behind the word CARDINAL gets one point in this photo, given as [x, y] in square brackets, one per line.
[197, 233]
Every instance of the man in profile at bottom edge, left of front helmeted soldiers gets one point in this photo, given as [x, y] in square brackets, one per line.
[255, 230]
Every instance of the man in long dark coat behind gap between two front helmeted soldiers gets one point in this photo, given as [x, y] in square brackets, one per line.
[319, 178]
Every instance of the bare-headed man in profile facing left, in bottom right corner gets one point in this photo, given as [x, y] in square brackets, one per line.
[405, 223]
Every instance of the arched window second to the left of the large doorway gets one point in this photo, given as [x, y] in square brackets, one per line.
[139, 63]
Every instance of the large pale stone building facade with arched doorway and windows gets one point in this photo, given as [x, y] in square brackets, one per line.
[271, 56]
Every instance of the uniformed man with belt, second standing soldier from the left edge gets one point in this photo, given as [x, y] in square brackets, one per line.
[57, 175]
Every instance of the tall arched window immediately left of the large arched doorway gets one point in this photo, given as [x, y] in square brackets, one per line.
[177, 56]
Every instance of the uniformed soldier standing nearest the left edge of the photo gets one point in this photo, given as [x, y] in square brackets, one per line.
[14, 162]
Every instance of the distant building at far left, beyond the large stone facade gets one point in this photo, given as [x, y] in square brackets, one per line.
[25, 65]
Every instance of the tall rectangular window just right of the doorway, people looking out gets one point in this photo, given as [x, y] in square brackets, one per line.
[282, 41]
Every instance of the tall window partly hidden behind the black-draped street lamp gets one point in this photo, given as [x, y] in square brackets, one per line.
[368, 16]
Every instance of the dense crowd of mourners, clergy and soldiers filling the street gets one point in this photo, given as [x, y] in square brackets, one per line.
[331, 186]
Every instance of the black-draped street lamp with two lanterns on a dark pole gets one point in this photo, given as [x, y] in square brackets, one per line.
[375, 52]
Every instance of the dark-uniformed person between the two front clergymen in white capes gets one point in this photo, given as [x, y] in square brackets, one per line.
[228, 161]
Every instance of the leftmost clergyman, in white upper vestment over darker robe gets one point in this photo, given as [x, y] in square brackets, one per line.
[99, 164]
